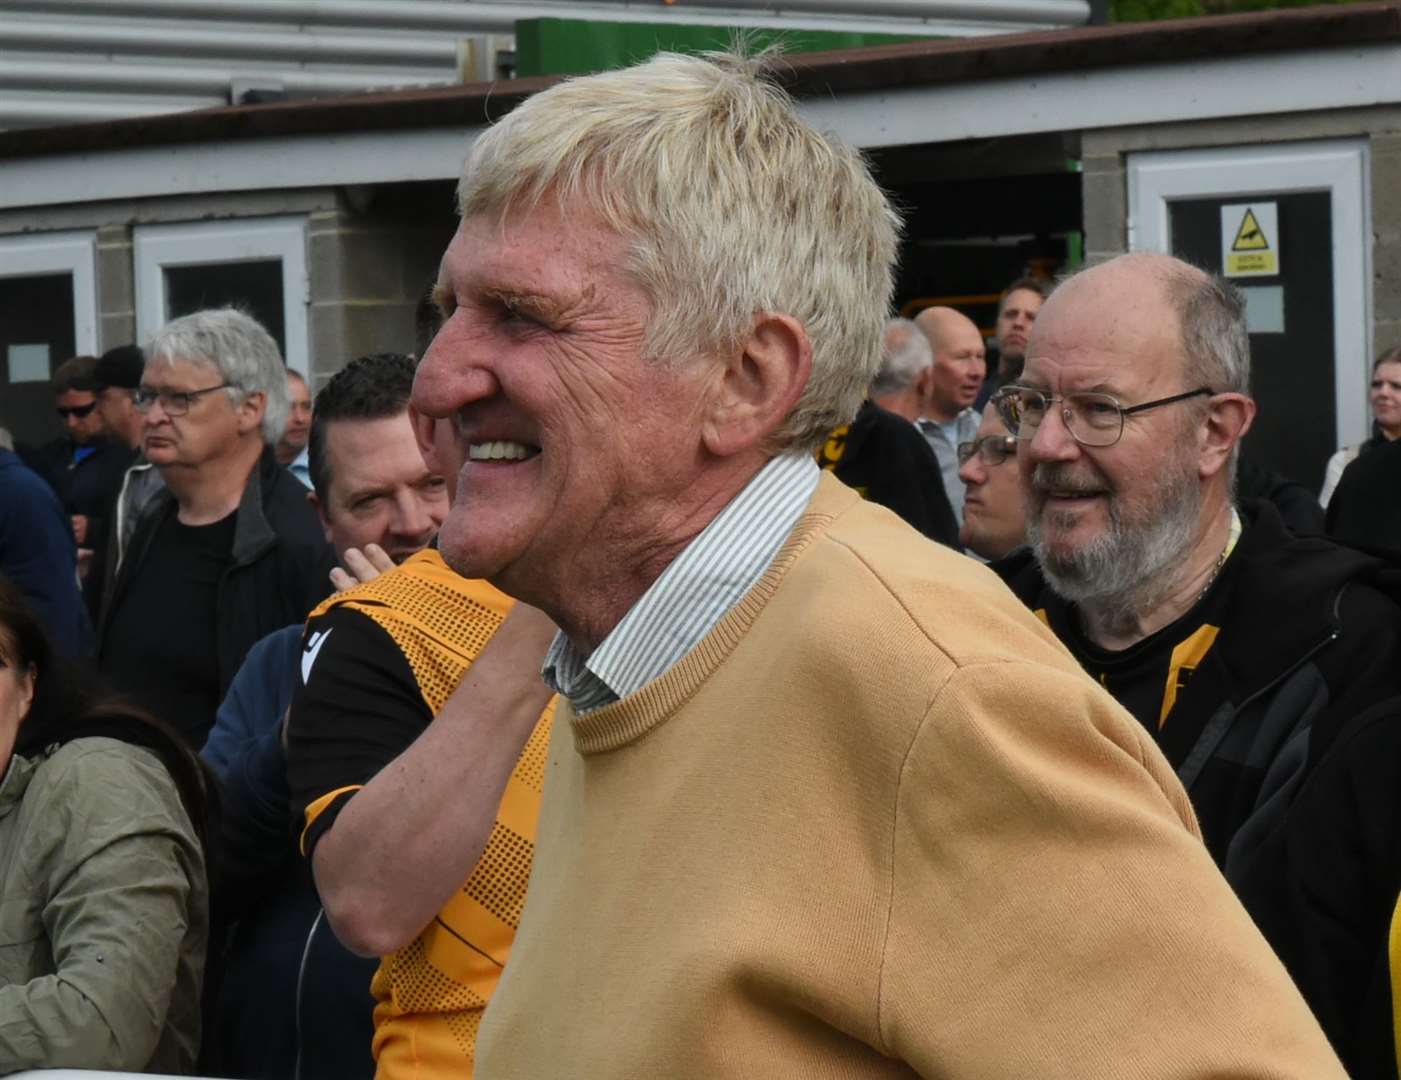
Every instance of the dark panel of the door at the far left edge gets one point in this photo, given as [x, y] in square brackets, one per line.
[34, 312]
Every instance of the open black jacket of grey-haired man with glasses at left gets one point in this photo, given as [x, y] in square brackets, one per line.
[279, 569]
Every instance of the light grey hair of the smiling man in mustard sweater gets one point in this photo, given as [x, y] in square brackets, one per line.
[732, 205]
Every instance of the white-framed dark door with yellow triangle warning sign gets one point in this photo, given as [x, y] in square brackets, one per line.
[1312, 317]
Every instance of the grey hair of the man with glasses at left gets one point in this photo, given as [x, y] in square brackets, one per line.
[240, 349]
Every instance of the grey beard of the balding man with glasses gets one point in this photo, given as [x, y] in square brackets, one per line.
[1129, 571]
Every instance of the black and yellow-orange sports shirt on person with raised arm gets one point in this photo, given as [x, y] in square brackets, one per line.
[379, 662]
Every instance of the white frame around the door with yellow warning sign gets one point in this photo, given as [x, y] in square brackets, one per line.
[1340, 167]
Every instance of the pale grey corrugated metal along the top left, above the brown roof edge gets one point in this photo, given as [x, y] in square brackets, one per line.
[96, 61]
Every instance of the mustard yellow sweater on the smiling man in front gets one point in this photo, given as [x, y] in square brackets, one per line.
[879, 824]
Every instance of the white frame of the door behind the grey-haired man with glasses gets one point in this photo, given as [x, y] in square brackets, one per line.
[207, 243]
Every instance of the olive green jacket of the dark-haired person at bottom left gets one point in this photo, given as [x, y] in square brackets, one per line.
[103, 913]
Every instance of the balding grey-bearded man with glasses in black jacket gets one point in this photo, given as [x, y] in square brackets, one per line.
[1257, 660]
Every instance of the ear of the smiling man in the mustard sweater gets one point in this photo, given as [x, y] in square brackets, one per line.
[759, 386]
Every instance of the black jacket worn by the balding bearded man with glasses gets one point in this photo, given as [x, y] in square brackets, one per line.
[1276, 739]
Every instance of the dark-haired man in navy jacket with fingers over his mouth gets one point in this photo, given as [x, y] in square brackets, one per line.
[379, 505]
